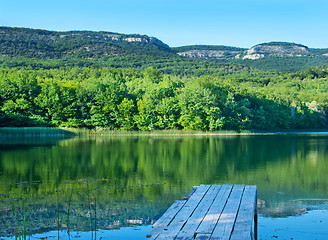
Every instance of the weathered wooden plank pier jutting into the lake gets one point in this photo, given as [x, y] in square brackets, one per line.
[211, 212]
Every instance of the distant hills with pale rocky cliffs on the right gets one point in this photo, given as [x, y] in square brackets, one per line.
[273, 56]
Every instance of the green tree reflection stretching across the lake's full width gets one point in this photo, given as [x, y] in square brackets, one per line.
[281, 162]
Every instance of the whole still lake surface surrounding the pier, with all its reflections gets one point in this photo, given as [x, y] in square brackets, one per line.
[109, 187]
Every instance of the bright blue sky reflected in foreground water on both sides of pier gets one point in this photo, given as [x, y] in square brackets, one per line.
[295, 227]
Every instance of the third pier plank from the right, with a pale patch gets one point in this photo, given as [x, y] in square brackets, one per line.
[210, 220]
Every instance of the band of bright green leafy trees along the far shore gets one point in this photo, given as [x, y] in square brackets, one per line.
[130, 99]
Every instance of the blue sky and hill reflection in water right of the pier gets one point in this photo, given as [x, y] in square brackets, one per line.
[308, 219]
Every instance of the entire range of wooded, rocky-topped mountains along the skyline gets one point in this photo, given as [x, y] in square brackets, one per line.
[32, 48]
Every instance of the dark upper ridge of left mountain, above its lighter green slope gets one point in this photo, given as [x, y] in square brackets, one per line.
[50, 44]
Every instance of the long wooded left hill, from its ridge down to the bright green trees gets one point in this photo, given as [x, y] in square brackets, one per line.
[41, 49]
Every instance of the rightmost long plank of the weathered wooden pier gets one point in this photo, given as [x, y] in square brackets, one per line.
[244, 221]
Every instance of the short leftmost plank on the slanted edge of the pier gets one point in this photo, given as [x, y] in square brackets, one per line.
[166, 218]
